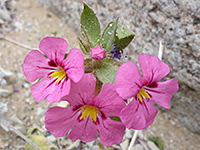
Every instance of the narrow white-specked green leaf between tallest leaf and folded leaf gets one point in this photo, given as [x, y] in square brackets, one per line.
[108, 36]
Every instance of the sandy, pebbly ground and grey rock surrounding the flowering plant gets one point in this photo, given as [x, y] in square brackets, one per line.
[23, 23]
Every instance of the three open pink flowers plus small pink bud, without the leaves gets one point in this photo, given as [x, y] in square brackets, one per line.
[90, 111]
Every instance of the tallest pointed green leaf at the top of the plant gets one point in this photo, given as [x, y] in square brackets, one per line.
[90, 23]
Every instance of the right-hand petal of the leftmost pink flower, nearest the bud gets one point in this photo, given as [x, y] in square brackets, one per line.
[74, 64]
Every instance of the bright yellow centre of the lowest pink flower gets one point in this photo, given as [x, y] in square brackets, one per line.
[90, 110]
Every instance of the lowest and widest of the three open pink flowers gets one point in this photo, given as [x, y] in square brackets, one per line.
[88, 114]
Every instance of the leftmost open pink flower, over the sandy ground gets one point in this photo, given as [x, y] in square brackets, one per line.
[56, 72]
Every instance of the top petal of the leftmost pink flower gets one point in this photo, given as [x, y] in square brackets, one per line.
[54, 47]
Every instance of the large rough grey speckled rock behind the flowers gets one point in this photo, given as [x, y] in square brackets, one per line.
[174, 22]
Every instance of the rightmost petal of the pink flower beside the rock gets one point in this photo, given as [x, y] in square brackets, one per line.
[162, 93]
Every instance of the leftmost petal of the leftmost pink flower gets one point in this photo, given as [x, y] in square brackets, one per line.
[35, 66]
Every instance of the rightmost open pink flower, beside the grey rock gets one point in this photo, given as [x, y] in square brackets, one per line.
[140, 112]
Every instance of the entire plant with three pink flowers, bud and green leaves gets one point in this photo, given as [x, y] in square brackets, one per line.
[105, 97]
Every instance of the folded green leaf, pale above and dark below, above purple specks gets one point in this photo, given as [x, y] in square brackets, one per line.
[123, 36]
